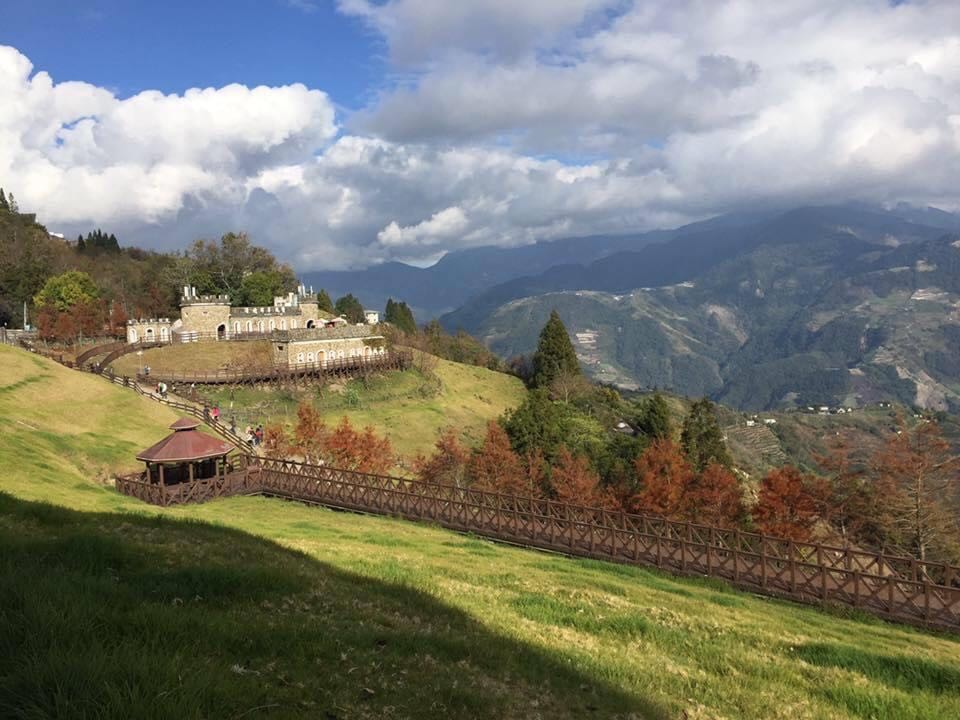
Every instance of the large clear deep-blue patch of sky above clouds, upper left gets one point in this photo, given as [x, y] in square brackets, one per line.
[171, 45]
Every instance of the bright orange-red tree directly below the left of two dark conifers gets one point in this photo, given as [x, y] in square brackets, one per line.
[664, 478]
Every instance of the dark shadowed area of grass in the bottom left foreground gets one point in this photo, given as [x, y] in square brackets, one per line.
[119, 616]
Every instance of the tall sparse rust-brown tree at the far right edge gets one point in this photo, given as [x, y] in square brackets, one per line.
[920, 474]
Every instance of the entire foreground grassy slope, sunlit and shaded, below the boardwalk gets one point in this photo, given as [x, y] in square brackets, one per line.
[328, 614]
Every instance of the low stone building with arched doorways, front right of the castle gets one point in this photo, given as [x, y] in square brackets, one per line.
[326, 345]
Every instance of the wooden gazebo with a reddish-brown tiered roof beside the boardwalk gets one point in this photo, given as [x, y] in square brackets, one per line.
[185, 456]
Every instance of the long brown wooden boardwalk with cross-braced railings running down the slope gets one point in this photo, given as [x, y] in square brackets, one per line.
[901, 589]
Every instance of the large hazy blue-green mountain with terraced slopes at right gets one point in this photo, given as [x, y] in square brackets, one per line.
[812, 306]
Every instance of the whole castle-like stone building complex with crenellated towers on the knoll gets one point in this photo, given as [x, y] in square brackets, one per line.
[304, 333]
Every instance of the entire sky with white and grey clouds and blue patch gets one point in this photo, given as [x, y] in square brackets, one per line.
[344, 133]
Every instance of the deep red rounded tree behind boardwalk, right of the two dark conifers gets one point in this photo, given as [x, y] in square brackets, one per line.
[786, 507]
